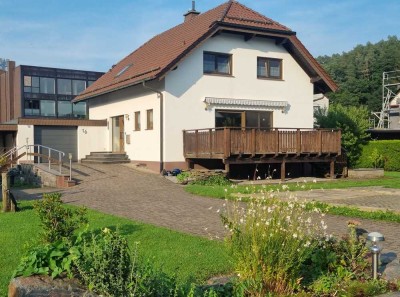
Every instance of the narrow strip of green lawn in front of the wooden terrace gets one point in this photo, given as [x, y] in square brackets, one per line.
[390, 180]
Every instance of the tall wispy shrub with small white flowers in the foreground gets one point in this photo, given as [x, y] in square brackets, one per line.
[270, 240]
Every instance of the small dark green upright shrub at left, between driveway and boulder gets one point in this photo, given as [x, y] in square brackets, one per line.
[57, 221]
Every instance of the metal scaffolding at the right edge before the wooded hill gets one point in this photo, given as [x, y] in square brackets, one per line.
[390, 89]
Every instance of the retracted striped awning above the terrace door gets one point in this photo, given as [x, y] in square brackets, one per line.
[246, 103]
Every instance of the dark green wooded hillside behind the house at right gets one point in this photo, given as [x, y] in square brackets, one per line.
[359, 72]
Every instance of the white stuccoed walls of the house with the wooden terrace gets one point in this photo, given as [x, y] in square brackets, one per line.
[185, 89]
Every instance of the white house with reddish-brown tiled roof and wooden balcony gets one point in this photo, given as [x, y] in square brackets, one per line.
[212, 92]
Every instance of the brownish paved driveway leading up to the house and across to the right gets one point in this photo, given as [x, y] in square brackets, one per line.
[127, 192]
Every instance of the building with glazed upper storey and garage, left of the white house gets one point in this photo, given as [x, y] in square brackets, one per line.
[36, 109]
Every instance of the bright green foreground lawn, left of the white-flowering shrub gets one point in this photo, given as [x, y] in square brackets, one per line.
[190, 258]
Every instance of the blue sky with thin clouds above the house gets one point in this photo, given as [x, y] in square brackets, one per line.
[95, 34]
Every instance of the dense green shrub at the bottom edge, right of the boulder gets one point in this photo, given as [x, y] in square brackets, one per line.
[106, 267]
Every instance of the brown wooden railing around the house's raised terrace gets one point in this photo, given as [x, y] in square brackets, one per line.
[222, 143]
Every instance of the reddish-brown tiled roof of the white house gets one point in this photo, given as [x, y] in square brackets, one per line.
[161, 53]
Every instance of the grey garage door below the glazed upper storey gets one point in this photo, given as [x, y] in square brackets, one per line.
[62, 138]
